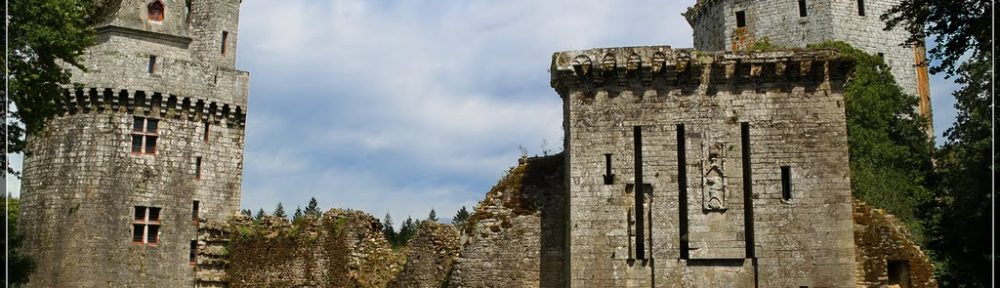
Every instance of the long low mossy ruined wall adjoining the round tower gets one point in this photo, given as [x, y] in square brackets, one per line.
[344, 248]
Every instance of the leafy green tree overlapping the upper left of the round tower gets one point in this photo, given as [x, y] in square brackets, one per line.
[44, 36]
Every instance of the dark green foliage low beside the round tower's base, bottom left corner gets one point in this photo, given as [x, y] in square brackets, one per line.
[19, 266]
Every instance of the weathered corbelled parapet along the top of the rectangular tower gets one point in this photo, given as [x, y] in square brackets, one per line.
[690, 70]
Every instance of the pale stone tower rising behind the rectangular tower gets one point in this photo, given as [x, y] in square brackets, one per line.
[734, 24]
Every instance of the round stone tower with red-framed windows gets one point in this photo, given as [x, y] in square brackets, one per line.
[146, 148]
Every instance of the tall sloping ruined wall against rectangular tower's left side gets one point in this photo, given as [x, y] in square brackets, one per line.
[516, 236]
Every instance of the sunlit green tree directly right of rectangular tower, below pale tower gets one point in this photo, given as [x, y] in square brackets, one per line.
[890, 155]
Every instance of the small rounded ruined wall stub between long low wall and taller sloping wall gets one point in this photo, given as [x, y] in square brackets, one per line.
[430, 256]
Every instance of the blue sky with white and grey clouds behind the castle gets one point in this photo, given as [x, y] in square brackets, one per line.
[406, 106]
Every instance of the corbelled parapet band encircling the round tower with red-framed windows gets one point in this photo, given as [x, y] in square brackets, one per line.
[169, 106]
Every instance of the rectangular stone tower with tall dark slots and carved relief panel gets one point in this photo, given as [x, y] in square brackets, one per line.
[694, 169]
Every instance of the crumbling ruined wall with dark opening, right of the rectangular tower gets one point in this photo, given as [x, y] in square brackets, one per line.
[885, 255]
